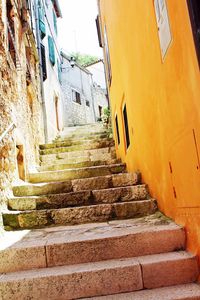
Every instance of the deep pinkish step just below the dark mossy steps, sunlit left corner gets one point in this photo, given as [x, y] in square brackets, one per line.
[84, 243]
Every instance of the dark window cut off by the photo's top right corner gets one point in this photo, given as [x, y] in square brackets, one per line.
[194, 10]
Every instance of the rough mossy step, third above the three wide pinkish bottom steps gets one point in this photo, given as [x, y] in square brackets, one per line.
[99, 182]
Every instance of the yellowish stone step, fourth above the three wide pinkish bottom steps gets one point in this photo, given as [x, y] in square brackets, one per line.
[60, 175]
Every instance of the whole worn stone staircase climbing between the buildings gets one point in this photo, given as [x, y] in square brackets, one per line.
[90, 229]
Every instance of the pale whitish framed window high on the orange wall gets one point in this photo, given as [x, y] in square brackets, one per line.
[162, 19]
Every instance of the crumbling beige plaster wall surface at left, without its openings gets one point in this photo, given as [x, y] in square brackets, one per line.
[19, 103]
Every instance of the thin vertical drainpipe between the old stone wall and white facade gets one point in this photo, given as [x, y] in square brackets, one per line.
[41, 72]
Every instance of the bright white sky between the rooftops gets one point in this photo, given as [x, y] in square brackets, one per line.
[77, 28]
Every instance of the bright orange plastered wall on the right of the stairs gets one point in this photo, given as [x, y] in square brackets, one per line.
[163, 104]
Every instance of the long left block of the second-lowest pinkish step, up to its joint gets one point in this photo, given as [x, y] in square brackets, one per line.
[73, 282]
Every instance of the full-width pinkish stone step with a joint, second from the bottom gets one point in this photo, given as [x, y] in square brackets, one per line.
[101, 278]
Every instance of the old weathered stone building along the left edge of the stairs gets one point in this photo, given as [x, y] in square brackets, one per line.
[21, 128]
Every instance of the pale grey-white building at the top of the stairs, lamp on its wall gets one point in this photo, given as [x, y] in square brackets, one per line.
[83, 100]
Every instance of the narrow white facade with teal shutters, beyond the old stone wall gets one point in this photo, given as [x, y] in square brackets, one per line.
[47, 13]
